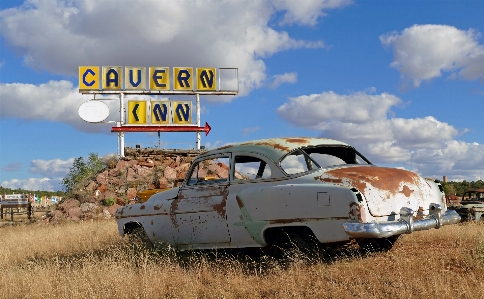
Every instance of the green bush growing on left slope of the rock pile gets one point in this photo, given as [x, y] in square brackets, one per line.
[82, 171]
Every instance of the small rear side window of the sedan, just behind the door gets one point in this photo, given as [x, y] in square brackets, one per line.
[251, 168]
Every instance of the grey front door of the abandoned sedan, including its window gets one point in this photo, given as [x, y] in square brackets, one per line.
[199, 211]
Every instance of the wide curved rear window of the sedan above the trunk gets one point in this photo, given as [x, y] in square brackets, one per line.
[310, 158]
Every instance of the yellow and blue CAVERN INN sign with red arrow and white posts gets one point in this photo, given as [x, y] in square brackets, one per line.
[207, 81]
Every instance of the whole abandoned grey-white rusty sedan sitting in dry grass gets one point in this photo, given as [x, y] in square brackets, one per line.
[275, 193]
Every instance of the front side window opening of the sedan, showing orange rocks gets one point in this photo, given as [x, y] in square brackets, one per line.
[210, 171]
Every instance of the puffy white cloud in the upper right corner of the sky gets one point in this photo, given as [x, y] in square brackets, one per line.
[424, 52]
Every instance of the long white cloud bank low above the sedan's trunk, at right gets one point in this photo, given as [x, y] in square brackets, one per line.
[365, 121]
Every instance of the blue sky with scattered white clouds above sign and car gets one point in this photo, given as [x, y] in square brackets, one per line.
[402, 81]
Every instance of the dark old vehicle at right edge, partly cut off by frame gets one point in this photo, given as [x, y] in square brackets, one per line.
[471, 207]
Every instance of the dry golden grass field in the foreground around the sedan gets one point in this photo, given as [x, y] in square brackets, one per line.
[90, 260]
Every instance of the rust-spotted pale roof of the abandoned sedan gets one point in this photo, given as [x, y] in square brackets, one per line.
[274, 148]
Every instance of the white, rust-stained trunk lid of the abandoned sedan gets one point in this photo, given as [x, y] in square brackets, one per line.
[386, 190]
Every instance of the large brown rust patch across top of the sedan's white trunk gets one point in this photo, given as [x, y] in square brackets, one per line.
[383, 178]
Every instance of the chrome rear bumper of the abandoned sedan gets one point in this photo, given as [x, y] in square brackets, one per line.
[405, 225]
